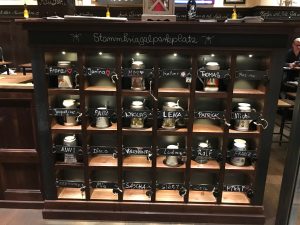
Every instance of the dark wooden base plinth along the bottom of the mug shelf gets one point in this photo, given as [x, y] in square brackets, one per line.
[156, 212]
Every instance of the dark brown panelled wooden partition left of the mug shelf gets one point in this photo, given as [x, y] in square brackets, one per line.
[20, 183]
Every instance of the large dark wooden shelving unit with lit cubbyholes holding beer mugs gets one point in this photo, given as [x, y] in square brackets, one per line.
[144, 186]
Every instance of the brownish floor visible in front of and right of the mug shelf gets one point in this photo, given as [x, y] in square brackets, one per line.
[276, 165]
